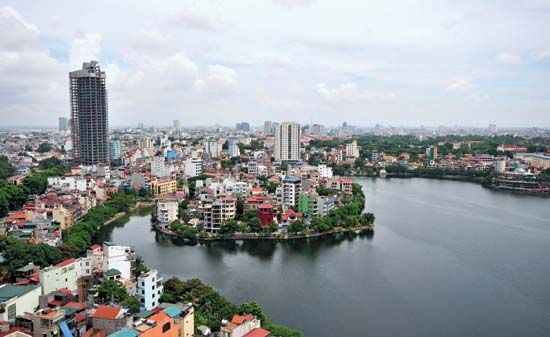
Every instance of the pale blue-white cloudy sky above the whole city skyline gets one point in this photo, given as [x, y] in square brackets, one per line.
[207, 62]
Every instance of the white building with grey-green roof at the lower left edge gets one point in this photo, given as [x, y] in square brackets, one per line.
[16, 300]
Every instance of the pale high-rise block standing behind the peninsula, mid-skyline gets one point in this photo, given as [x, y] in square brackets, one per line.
[287, 142]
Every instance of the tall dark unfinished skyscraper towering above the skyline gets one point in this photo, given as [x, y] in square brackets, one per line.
[90, 125]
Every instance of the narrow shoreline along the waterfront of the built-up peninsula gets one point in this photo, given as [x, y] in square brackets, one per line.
[255, 236]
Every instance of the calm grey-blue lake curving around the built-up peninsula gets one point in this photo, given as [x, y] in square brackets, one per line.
[446, 259]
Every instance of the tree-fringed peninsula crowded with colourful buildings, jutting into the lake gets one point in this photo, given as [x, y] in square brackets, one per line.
[329, 205]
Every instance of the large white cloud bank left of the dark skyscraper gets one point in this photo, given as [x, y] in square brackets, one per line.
[33, 86]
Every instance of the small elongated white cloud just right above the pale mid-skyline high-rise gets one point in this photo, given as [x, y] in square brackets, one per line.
[351, 92]
